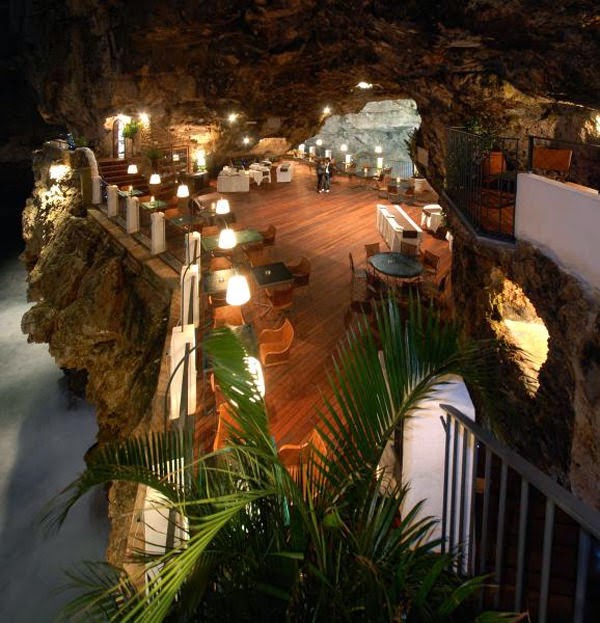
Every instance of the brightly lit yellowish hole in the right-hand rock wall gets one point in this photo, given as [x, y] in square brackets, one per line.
[520, 326]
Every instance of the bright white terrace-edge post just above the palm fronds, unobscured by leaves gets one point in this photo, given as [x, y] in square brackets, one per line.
[179, 338]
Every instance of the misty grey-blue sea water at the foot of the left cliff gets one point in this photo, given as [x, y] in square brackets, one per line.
[44, 434]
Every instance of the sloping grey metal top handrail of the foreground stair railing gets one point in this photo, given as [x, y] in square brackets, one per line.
[585, 515]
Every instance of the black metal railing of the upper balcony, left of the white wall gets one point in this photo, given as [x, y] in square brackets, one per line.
[481, 180]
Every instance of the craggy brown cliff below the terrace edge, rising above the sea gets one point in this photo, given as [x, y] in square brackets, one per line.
[97, 308]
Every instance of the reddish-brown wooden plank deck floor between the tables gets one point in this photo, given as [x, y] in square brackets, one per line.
[324, 228]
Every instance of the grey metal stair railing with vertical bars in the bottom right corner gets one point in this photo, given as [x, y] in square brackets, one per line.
[507, 519]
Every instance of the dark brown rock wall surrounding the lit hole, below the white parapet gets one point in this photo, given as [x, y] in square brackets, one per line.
[559, 428]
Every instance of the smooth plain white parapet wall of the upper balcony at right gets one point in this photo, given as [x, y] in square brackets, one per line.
[562, 221]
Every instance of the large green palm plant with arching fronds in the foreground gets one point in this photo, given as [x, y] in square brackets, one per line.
[333, 543]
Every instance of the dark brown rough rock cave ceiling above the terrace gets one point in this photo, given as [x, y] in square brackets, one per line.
[192, 62]
